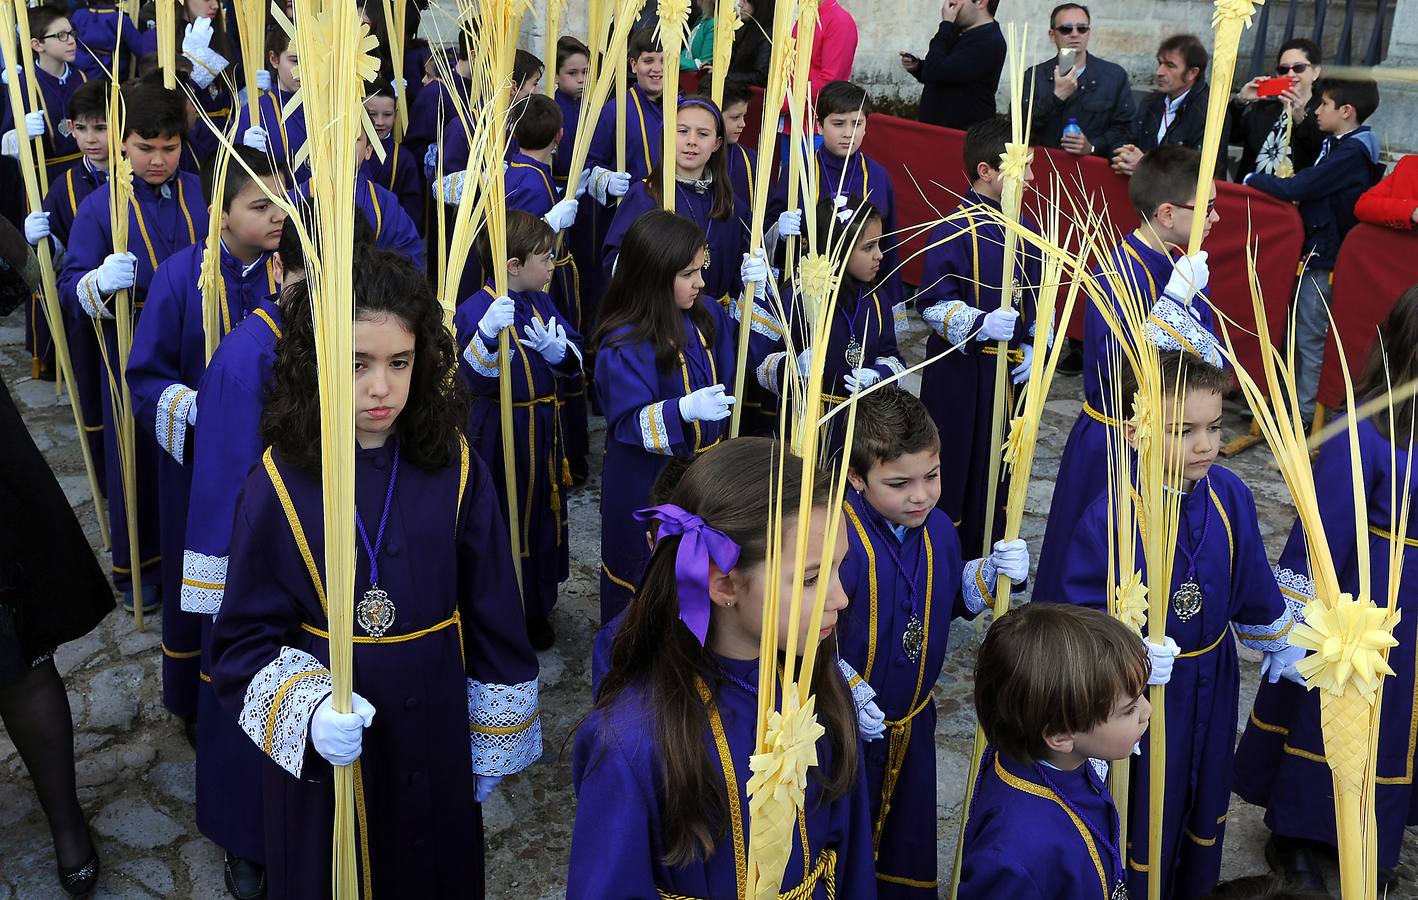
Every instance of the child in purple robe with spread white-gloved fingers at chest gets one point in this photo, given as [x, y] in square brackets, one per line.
[548, 352]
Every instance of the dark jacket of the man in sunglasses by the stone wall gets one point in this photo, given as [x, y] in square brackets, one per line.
[1102, 106]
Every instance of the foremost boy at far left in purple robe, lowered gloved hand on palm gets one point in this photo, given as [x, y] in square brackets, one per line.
[168, 213]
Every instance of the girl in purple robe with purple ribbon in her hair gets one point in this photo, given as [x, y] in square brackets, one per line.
[661, 765]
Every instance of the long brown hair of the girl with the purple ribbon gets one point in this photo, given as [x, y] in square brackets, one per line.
[727, 490]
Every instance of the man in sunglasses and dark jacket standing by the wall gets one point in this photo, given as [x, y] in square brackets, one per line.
[1088, 90]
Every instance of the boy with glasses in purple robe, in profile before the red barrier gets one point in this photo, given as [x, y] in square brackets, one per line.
[1152, 271]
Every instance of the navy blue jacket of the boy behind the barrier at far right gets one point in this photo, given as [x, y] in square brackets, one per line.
[1328, 191]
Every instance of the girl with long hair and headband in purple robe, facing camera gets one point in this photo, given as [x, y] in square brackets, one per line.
[704, 195]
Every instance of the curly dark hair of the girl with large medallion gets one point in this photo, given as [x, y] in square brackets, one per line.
[437, 412]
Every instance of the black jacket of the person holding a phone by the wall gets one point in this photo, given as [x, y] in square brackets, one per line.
[961, 76]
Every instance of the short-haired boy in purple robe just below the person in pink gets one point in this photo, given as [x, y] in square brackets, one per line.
[842, 169]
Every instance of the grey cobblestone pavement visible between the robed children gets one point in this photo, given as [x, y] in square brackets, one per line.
[135, 770]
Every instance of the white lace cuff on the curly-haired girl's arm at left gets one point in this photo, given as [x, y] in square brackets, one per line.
[279, 705]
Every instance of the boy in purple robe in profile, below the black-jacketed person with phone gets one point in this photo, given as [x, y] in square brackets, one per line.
[961, 301]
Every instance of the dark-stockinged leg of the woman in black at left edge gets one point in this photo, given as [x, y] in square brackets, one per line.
[36, 714]
